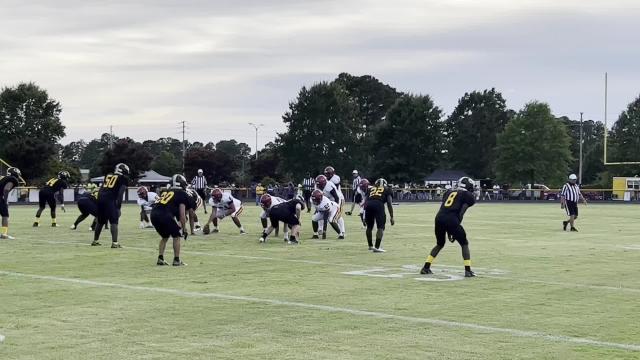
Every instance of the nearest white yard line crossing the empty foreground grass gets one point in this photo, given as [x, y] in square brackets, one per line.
[334, 309]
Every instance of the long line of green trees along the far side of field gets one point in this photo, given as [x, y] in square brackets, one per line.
[352, 122]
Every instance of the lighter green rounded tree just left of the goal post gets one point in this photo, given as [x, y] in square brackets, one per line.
[534, 147]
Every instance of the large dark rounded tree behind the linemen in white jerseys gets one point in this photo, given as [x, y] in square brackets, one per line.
[321, 130]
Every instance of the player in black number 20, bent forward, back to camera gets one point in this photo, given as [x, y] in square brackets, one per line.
[168, 216]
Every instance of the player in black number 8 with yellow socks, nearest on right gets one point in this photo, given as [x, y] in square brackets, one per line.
[454, 205]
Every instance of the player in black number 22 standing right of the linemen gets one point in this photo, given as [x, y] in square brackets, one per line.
[377, 196]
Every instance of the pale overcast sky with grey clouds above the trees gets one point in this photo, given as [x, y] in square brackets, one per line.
[144, 66]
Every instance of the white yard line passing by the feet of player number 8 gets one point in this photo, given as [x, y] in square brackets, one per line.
[361, 266]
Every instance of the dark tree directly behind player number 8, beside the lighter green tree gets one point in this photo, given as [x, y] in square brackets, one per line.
[472, 129]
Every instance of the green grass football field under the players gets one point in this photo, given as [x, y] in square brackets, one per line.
[581, 285]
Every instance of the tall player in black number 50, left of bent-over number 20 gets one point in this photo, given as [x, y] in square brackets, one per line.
[109, 203]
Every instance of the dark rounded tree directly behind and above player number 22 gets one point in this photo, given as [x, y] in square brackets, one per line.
[409, 142]
